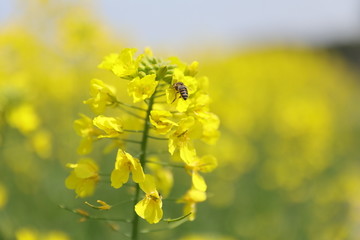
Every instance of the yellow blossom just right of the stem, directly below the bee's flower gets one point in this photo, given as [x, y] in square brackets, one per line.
[180, 139]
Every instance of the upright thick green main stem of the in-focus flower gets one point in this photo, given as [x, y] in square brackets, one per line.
[144, 141]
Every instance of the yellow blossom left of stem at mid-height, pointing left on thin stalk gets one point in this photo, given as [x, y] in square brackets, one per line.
[111, 126]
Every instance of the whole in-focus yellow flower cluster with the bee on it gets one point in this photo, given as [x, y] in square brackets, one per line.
[169, 104]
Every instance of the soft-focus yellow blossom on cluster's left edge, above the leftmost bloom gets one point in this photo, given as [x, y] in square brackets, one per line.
[84, 127]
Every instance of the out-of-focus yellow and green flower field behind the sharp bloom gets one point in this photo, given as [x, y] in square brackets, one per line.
[288, 152]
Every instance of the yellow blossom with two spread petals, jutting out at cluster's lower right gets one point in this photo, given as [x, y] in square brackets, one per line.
[205, 164]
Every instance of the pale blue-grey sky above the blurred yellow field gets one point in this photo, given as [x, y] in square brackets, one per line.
[227, 23]
